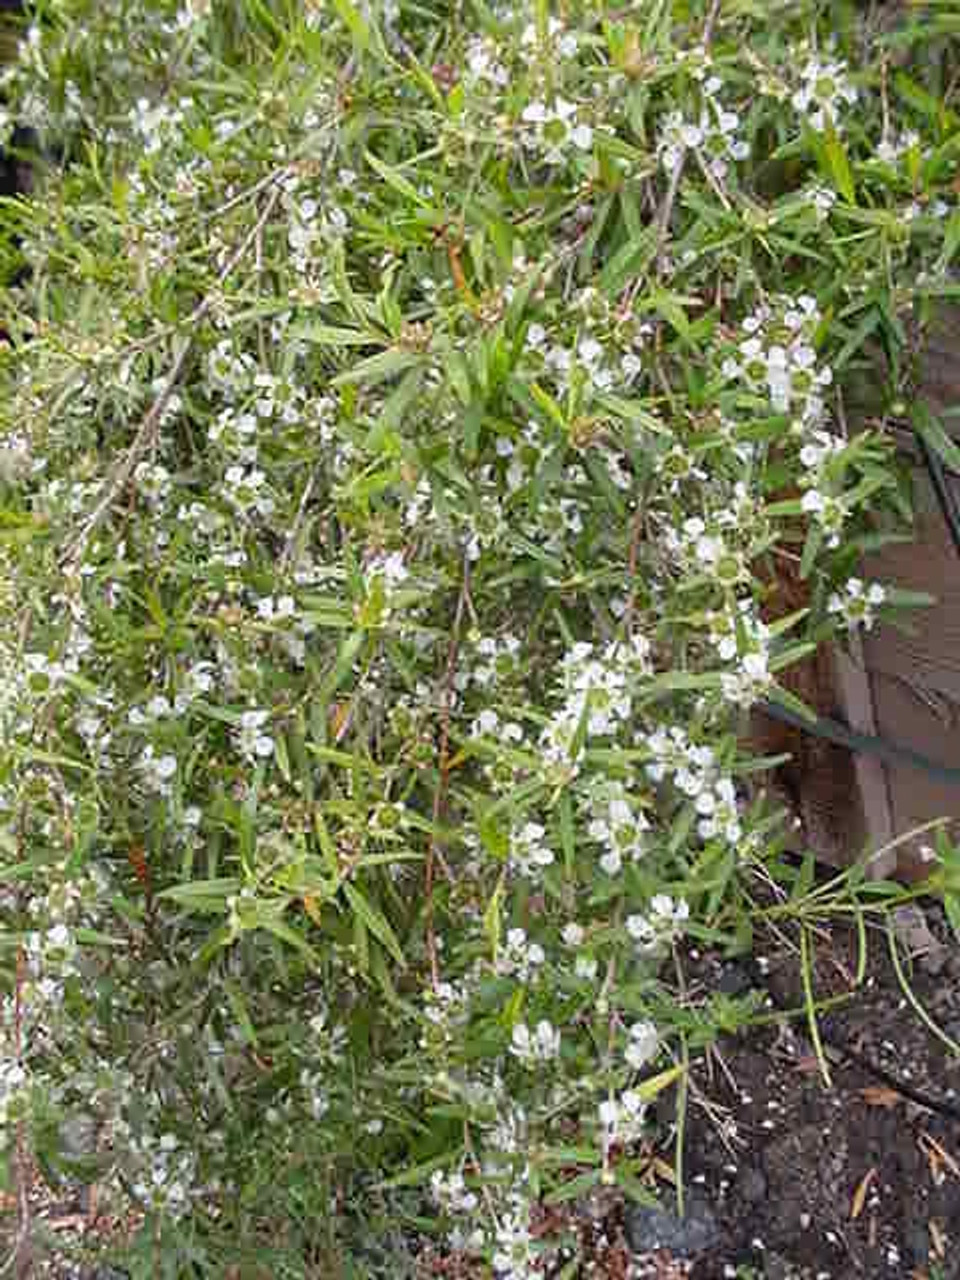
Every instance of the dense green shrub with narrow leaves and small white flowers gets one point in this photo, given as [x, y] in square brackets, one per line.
[408, 410]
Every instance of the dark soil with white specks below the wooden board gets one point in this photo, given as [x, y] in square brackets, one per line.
[857, 1181]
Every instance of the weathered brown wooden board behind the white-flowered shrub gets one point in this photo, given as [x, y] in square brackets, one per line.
[902, 687]
